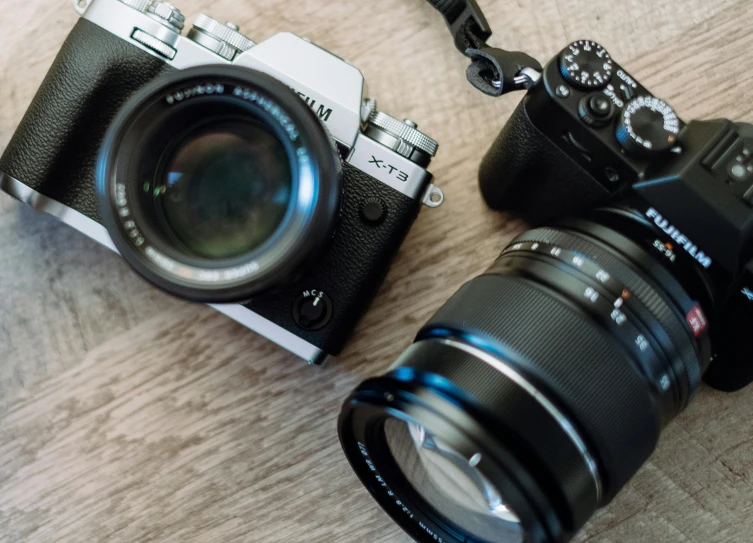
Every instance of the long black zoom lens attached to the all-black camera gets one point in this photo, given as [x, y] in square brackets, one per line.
[535, 394]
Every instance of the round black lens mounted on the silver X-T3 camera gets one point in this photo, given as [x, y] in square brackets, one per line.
[219, 183]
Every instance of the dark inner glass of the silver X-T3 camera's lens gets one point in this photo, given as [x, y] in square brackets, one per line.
[225, 189]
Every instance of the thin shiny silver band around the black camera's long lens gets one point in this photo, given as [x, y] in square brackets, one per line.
[542, 400]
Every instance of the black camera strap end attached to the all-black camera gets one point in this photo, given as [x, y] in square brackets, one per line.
[493, 71]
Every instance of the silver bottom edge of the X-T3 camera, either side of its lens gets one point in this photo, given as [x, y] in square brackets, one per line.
[97, 232]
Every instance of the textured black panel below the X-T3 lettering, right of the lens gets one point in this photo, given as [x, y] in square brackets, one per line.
[353, 268]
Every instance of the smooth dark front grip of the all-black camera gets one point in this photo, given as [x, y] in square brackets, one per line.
[526, 173]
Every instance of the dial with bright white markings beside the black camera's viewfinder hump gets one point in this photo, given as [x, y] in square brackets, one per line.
[648, 125]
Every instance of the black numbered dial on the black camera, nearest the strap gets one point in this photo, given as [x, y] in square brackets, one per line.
[587, 65]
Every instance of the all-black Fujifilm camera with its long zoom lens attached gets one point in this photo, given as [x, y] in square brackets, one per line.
[533, 396]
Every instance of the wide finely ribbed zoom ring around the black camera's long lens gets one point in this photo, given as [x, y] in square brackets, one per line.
[576, 363]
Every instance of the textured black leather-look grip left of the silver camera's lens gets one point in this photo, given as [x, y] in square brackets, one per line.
[54, 151]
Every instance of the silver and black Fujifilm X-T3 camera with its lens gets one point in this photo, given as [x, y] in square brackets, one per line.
[254, 177]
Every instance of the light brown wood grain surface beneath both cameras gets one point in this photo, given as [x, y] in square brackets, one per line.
[126, 415]
